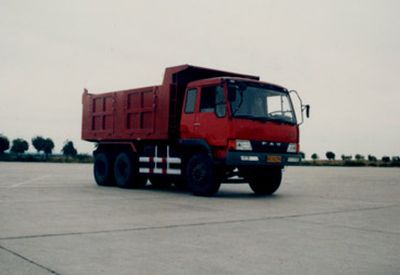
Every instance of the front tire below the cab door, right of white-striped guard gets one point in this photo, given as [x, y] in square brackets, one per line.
[200, 175]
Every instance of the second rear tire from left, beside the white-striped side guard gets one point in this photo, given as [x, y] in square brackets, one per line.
[126, 171]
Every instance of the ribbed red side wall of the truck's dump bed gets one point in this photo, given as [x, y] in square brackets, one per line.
[123, 115]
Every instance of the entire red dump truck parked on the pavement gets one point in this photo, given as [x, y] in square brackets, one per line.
[201, 127]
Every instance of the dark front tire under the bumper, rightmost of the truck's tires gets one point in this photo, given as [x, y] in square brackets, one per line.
[266, 182]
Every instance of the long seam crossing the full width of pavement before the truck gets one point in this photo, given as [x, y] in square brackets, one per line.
[195, 224]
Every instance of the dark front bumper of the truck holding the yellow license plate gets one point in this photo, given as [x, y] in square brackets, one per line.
[246, 158]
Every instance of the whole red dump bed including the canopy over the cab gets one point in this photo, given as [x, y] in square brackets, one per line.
[150, 113]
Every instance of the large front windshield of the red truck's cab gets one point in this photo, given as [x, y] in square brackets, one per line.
[254, 101]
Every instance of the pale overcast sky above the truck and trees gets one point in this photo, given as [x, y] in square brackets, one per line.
[343, 57]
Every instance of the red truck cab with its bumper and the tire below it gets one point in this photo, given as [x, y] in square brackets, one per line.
[250, 127]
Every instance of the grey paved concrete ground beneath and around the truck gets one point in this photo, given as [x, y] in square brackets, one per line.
[54, 219]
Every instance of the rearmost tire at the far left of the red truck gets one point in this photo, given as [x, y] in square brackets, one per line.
[103, 169]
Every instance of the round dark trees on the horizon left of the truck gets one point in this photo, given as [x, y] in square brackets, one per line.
[41, 144]
